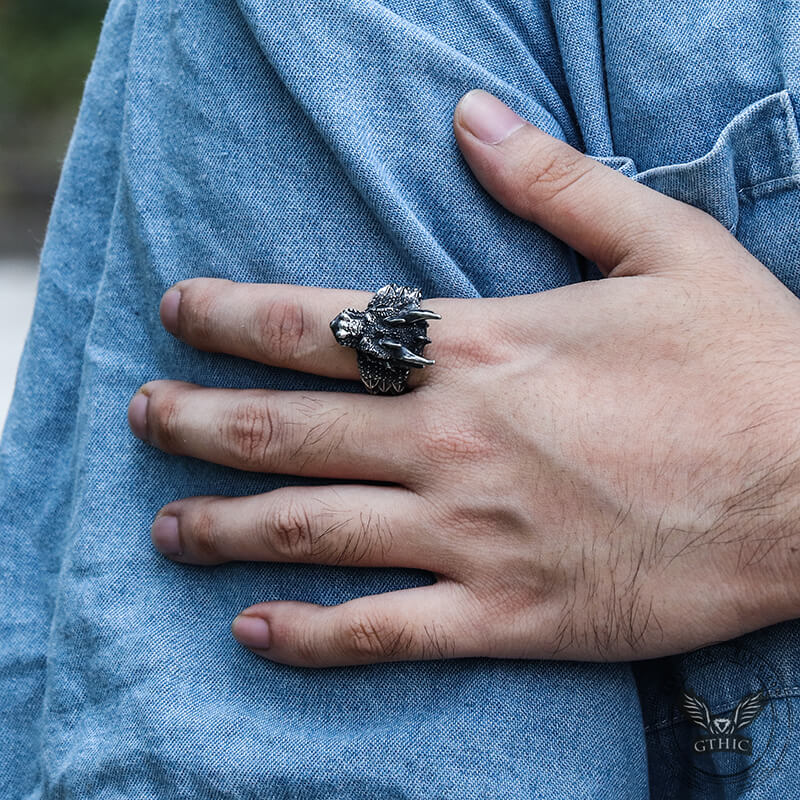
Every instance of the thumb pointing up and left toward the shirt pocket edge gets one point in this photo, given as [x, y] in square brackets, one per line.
[601, 213]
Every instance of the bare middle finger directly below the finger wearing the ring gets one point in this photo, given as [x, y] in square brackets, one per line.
[316, 434]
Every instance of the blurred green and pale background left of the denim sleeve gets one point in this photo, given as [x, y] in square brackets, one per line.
[46, 48]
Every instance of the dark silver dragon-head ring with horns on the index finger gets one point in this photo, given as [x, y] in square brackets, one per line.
[389, 336]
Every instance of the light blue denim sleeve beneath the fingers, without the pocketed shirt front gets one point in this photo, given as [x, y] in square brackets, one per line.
[305, 143]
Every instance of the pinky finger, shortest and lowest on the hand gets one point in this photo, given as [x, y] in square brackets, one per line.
[425, 623]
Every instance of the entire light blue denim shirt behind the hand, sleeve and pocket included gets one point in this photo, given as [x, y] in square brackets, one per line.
[310, 142]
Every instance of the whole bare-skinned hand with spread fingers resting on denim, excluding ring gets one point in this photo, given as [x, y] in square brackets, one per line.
[603, 471]
